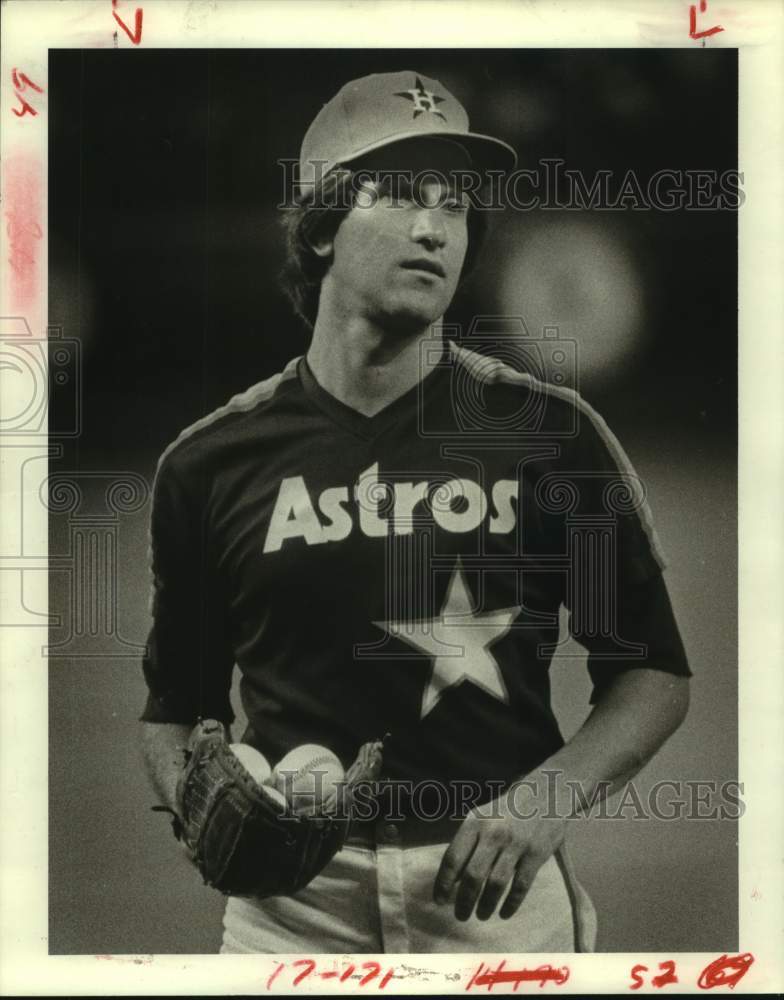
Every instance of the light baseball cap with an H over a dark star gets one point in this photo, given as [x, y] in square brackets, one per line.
[384, 108]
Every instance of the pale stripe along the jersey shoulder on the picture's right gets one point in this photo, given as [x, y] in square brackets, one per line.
[493, 370]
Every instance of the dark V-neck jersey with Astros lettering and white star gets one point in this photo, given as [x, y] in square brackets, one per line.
[400, 573]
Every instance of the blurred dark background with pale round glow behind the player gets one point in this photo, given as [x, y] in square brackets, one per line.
[164, 253]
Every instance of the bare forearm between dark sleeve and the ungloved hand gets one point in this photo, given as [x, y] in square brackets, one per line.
[633, 719]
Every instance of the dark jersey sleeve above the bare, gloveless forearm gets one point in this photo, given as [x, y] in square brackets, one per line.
[619, 607]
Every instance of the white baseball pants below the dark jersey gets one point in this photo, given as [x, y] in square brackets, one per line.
[380, 901]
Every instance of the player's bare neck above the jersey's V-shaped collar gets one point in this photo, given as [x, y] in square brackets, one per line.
[365, 367]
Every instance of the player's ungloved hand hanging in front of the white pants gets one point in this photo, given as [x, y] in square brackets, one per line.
[497, 850]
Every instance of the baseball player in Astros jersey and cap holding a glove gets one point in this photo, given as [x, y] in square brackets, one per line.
[380, 537]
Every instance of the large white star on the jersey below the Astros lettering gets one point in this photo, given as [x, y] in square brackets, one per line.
[458, 640]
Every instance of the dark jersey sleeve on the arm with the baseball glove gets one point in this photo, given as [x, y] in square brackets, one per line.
[188, 661]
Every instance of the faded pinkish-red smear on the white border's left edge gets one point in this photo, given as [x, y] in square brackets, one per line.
[22, 212]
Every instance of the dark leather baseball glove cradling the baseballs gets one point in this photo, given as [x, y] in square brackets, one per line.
[245, 842]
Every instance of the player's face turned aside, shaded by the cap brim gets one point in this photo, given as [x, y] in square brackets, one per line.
[397, 255]
